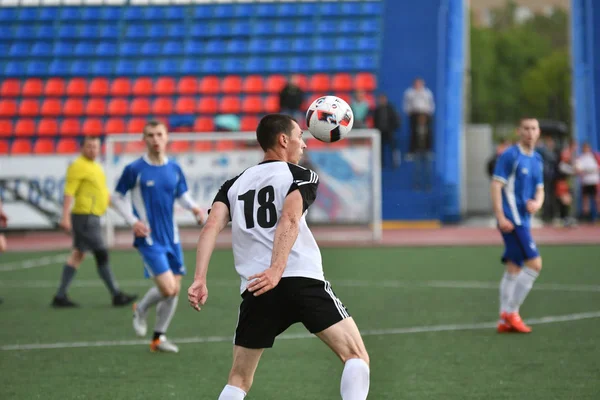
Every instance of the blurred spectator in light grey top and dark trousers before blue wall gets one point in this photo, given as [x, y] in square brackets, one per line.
[418, 100]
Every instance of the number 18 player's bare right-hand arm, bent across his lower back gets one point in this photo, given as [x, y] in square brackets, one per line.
[285, 236]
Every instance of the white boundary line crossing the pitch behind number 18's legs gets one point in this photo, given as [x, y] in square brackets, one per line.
[375, 332]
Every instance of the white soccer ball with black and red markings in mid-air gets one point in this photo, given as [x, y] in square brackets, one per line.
[329, 119]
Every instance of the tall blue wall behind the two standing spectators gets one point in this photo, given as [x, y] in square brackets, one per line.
[425, 41]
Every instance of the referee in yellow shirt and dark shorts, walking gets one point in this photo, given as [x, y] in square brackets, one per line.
[85, 185]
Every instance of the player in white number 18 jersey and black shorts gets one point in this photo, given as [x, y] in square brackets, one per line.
[278, 261]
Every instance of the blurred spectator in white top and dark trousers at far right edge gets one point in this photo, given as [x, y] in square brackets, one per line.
[587, 167]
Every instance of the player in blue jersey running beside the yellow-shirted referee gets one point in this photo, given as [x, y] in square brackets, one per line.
[155, 183]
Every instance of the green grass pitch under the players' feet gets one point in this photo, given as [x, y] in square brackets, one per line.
[438, 290]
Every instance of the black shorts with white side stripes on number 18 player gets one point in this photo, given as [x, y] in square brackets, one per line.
[294, 299]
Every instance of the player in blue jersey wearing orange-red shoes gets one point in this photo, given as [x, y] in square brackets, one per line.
[517, 192]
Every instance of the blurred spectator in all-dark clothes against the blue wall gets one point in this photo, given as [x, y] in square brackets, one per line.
[387, 121]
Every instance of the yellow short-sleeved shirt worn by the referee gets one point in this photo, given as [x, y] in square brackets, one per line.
[86, 182]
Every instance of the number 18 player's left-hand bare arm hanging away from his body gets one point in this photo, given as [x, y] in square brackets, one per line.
[216, 222]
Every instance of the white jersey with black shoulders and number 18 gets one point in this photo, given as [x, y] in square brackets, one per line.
[255, 199]
